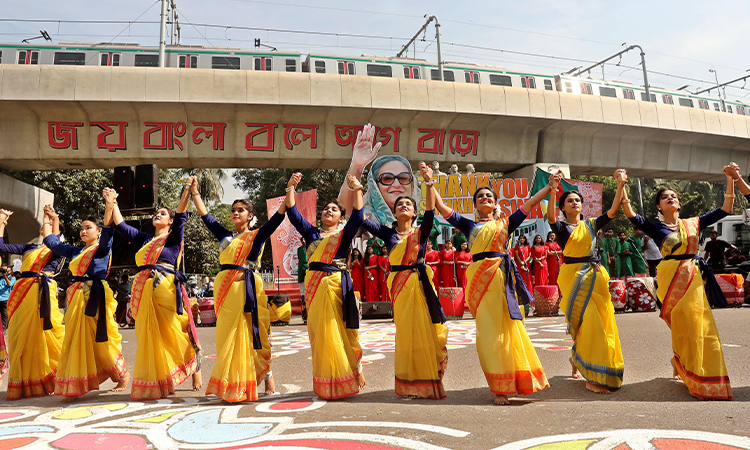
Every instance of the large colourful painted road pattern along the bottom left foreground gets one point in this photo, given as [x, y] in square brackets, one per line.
[200, 424]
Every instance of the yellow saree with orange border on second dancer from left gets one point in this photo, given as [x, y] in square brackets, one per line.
[85, 363]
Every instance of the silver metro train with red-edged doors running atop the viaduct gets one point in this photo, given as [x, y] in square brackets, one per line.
[203, 57]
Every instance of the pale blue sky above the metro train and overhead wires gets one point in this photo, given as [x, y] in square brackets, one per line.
[684, 38]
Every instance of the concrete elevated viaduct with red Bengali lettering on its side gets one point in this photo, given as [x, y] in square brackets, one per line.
[59, 117]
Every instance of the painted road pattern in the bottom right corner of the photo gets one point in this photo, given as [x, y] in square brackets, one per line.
[634, 440]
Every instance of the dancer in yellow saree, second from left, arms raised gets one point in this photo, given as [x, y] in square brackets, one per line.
[91, 351]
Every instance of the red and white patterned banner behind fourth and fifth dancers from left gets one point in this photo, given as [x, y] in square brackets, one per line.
[285, 240]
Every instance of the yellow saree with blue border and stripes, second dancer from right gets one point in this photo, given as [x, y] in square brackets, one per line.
[589, 311]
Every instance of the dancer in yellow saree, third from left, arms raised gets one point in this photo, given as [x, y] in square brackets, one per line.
[168, 350]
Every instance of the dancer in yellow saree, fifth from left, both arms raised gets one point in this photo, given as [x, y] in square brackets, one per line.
[332, 315]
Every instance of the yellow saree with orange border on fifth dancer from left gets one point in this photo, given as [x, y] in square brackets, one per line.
[336, 352]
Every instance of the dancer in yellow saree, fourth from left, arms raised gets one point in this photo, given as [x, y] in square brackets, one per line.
[243, 348]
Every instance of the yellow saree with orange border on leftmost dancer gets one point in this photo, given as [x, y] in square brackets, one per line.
[34, 352]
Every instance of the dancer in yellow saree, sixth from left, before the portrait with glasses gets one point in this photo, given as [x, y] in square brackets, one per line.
[421, 355]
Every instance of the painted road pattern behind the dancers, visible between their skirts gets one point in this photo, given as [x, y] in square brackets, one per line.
[546, 333]
